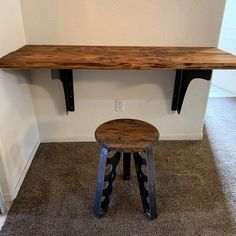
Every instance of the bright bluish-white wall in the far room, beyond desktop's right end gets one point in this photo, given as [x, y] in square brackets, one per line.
[222, 78]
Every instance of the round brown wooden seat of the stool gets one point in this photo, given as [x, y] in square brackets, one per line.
[126, 135]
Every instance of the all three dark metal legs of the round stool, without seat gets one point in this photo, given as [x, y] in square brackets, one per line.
[146, 180]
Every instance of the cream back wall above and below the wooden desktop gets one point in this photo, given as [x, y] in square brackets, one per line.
[147, 94]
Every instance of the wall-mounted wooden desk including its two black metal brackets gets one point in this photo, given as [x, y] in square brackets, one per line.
[189, 63]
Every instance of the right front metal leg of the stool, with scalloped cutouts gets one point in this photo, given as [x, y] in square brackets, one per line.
[146, 182]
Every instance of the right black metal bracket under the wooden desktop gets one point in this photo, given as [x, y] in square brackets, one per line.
[182, 81]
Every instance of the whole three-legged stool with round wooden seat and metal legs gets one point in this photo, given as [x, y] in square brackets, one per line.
[126, 136]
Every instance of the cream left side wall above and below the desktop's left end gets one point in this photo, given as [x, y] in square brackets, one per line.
[19, 135]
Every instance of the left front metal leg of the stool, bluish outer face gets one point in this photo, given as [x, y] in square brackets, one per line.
[105, 182]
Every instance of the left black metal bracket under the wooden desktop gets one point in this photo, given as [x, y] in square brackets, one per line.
[66, 77]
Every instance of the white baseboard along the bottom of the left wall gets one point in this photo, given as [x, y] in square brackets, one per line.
[12, 195]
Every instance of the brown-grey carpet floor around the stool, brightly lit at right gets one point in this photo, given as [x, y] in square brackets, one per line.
[196, 187]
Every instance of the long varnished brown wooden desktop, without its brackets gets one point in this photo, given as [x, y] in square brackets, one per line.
[114, 57]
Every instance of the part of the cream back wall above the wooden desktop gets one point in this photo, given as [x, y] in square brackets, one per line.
[123, 22]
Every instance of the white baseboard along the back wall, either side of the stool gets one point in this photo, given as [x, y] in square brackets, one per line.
[88, 138]
